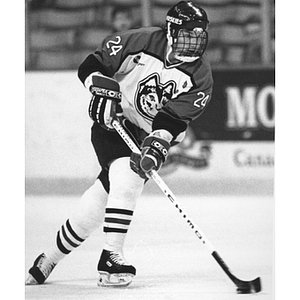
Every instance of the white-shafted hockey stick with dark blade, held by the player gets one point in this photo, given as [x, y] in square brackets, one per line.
[243, 287]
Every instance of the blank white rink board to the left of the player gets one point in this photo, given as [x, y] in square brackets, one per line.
[57, 126]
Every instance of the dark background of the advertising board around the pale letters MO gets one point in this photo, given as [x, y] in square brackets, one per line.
[211, 125]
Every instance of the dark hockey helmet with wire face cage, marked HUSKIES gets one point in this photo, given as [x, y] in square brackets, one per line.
[186, 25]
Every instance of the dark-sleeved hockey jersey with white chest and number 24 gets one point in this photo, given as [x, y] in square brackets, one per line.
[155, 93]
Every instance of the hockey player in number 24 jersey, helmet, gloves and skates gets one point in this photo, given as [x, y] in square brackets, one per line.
[155, 81]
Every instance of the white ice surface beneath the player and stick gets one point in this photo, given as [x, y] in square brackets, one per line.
[171, 262]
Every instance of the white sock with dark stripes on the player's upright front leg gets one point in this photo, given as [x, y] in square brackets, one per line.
[125, 188]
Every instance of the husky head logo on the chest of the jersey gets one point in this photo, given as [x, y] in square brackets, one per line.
[152, 95]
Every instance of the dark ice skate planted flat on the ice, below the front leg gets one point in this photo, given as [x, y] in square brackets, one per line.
[114, 270]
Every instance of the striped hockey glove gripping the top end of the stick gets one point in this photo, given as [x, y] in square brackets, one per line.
[105, 103]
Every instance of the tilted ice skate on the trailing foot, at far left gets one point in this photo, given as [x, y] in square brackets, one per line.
[40, 270]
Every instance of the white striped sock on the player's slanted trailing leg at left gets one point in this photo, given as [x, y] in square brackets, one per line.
[87, 216]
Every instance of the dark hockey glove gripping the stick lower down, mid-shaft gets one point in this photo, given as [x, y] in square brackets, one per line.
[154, 154]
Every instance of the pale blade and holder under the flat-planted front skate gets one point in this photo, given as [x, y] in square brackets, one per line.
[114, 280]
